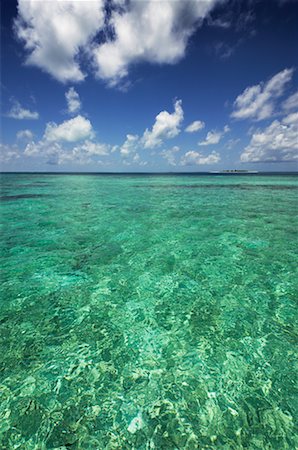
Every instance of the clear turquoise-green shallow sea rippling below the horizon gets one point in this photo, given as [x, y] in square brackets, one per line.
[148, 312]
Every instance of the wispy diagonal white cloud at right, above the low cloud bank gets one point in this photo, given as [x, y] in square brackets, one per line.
[258, 102]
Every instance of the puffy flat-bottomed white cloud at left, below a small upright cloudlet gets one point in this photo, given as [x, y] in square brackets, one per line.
[71, 130]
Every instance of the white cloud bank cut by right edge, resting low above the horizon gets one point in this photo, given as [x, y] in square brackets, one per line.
[277, 142]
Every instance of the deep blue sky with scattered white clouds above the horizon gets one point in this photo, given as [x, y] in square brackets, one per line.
[149, 85]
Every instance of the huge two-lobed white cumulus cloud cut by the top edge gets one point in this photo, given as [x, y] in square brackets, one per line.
[54, 32]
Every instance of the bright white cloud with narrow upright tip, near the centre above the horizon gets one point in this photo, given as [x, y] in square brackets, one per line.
[166, 126]
